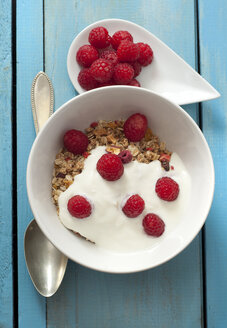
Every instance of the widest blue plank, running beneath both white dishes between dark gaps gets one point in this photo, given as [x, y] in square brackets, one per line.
[170, 294]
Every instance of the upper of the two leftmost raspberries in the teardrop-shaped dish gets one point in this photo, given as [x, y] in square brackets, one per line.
[86, 55]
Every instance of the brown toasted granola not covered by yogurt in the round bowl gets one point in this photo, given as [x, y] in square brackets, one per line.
[109, 134]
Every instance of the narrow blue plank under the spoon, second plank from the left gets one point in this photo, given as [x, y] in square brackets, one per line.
[32, 307]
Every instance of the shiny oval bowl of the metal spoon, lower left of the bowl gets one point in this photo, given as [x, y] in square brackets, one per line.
[46, 265]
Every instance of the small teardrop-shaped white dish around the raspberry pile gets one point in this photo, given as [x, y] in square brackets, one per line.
[169, 75]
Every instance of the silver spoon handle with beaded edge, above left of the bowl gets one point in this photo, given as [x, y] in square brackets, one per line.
[42, 100]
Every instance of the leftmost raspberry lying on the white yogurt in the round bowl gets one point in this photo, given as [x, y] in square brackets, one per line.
[79, 207]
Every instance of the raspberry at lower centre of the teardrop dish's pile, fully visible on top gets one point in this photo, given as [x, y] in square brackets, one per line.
[101, 70]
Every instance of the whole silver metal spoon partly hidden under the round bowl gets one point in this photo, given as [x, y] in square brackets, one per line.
[46, 264]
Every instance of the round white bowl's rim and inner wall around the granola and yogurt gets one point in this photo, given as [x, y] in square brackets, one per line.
[171, 123]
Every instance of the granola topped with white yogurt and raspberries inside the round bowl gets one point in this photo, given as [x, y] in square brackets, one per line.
[117, 185]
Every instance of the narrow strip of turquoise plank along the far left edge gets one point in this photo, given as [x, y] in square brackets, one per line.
[6, 268]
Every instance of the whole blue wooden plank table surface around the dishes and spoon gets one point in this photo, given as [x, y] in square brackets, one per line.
[190, 290]
